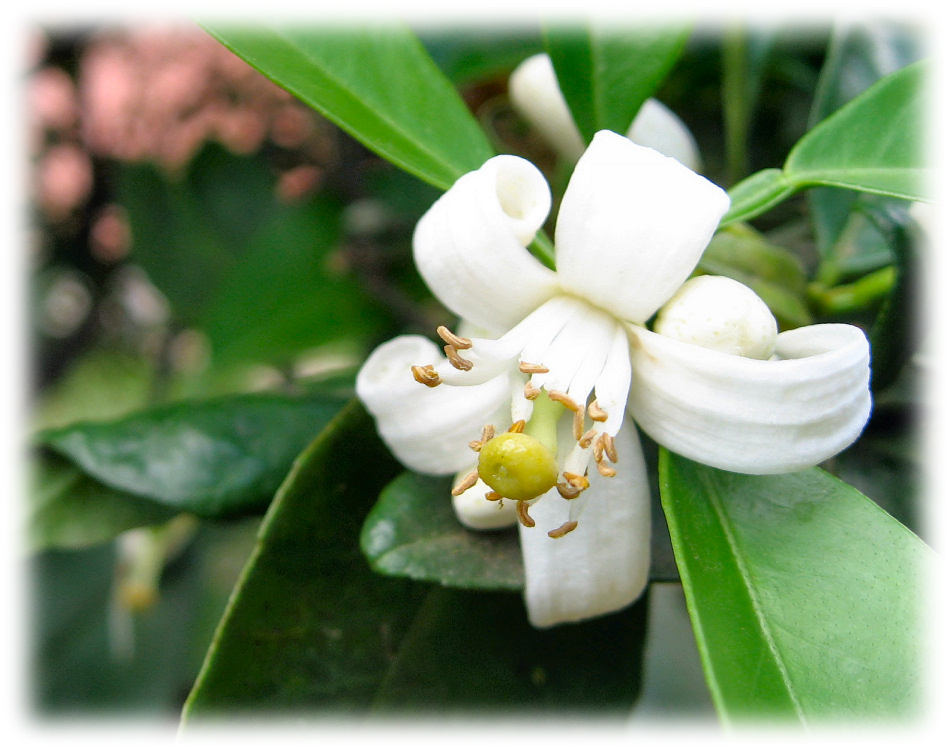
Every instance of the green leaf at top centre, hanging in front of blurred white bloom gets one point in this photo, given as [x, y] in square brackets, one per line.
[607, 73]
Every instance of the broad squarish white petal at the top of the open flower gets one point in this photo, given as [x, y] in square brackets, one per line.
[632, 226]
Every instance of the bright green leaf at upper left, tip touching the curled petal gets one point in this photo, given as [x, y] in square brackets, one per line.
[378, 84]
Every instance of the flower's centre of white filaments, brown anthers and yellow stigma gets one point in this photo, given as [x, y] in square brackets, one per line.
[567, 357]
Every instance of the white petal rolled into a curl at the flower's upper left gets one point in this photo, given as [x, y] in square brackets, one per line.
[470, 245]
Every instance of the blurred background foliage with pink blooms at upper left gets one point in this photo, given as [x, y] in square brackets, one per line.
[196, 232]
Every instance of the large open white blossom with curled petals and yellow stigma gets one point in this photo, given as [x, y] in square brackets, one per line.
[568, 352]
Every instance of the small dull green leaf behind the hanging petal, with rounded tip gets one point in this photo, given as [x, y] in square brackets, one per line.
[412, 531]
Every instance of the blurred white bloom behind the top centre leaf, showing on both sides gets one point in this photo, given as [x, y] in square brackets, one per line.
[535, 95]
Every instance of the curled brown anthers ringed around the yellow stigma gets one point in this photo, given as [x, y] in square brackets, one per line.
[573, 484]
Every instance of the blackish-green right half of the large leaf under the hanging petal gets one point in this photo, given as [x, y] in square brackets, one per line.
[475, 651]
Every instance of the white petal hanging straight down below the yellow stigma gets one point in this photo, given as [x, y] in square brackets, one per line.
[601, 566]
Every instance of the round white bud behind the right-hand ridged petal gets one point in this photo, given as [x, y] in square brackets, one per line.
[719, 313]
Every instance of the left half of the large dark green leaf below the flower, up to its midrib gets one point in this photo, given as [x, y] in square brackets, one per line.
[310, 627]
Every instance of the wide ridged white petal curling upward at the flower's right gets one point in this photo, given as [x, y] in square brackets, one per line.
[754, 416]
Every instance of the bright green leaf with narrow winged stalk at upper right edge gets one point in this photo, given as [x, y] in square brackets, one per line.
[872, 144]
